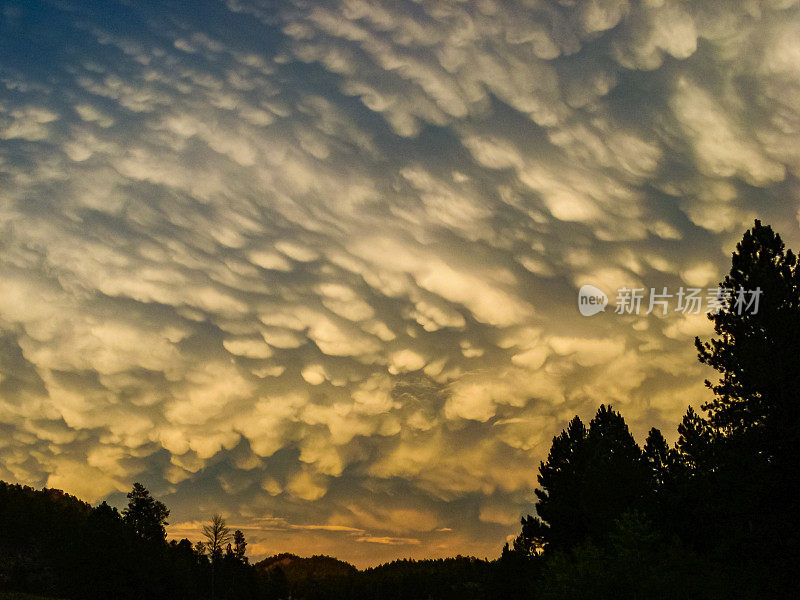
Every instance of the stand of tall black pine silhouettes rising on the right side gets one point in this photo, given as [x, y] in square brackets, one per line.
[715, 515]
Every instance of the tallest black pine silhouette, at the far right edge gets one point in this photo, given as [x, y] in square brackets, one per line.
[754, 416]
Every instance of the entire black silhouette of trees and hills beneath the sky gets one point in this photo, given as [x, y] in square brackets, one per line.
[714, 516]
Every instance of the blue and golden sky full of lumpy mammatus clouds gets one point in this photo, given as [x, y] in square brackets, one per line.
[315, 265]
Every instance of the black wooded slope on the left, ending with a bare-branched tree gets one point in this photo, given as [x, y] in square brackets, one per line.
[55, 544]
